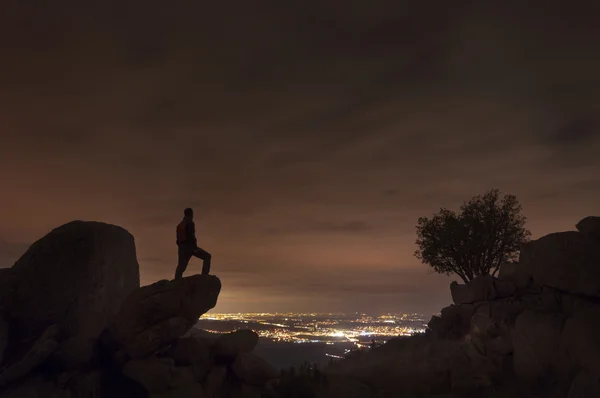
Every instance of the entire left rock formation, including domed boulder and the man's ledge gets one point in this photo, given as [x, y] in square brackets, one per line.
[74, 323]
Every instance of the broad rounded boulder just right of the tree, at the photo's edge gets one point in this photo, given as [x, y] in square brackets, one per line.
[568, 261]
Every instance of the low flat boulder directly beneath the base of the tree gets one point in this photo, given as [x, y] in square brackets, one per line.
[482, 288]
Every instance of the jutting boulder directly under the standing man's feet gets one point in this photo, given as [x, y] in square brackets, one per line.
[156, 315]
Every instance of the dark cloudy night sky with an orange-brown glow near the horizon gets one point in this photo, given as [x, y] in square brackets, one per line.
[308, 138]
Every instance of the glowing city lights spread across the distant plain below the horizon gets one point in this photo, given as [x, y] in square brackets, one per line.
[289, 339]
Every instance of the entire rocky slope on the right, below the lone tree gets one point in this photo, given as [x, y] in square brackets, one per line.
[532, 332]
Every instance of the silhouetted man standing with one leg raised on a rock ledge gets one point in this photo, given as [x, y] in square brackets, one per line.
[187, 245]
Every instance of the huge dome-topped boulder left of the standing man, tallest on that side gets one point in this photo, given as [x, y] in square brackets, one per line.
[77, 277]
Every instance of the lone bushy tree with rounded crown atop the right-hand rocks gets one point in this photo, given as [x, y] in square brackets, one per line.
[488, 231]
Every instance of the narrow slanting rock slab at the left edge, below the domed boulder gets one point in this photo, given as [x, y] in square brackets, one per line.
[37, 354]
